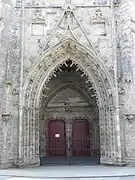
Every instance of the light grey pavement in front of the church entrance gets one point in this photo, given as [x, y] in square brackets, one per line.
[70, 173]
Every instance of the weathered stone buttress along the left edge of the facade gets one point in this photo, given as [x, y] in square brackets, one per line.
[9, 82]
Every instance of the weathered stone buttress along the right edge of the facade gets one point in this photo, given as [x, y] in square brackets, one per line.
[125, 59]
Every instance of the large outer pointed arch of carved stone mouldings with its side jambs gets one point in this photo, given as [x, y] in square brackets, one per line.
[36, 81]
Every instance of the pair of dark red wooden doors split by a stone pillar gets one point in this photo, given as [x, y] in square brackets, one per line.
[77, 145]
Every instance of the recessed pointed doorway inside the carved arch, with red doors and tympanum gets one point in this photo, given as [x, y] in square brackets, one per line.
[68, 113]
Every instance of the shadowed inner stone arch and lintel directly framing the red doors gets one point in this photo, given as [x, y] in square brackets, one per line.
[45, 117]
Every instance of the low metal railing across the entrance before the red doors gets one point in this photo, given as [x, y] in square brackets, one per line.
[71, 150]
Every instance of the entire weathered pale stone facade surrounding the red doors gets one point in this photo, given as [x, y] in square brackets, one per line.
[37, 39]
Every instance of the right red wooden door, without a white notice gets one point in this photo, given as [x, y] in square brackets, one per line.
[81, 141]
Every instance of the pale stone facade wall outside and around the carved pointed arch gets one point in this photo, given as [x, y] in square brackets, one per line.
[29, 28]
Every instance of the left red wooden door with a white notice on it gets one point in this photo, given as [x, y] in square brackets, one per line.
[56, 138]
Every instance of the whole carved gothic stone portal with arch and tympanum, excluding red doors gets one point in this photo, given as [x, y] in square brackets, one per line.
[69, 68]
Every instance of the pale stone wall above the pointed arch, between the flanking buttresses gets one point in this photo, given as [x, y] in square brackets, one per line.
[41, 24]
